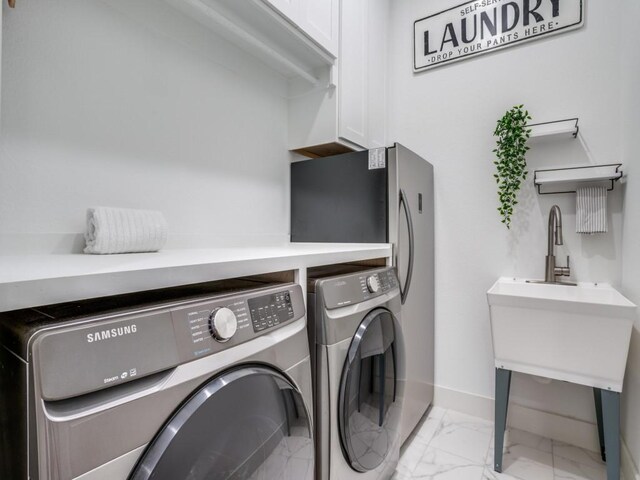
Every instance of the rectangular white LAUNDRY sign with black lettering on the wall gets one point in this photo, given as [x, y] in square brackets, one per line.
[482, 26]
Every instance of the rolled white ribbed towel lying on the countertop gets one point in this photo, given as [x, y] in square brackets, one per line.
[123, 230]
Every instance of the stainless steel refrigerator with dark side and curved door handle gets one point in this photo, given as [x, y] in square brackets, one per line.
[380, 195]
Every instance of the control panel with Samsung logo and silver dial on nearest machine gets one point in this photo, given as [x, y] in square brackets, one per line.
[128, 347]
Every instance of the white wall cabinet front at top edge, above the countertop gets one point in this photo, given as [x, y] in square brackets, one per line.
[319, 19]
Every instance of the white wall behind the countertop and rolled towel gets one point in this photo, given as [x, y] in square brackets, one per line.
[127, 103]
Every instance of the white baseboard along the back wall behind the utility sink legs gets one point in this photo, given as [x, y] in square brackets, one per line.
[557, 427]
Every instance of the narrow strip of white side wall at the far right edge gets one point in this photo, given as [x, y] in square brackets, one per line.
[630, 75]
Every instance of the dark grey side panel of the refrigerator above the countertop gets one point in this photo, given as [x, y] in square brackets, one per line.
[339, 199]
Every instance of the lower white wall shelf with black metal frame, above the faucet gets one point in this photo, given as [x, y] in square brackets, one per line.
[566, 180]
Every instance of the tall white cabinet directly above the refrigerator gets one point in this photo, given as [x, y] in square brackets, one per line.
[351, 112]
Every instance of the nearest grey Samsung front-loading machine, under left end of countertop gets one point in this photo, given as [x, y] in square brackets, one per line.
[181, 384]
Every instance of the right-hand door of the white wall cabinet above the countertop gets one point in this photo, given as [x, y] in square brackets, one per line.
[320, 19]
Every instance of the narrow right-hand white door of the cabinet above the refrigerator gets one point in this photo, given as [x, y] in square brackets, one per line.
[377, 72]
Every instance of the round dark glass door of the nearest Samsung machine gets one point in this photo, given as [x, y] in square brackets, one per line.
[247, 423]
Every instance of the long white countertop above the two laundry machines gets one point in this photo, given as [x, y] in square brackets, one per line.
[31, 280]
